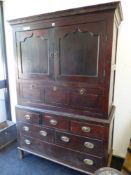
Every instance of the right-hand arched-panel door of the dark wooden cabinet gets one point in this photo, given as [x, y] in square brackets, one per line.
[79, 52]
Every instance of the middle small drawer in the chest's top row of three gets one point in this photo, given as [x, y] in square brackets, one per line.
[55, 121]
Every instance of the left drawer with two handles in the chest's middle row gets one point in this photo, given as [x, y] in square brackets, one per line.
[39, 132]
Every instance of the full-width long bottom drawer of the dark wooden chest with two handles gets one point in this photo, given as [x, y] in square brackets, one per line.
[67, 157]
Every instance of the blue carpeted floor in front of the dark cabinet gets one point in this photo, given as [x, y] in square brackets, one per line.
[10, 164]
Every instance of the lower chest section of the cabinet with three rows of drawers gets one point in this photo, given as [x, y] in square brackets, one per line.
[80, 144]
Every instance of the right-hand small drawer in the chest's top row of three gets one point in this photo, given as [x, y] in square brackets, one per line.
[88, 130]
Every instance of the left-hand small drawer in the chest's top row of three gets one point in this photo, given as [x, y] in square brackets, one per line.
[28, 117]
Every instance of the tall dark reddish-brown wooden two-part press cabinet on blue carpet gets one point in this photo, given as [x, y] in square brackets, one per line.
[65, 71]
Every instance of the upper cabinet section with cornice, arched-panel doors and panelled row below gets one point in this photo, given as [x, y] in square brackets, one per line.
[65, 60]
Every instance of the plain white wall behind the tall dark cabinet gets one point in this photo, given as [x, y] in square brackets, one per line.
[21, 8]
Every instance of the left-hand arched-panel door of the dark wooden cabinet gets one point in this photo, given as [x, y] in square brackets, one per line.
[34, 54]
